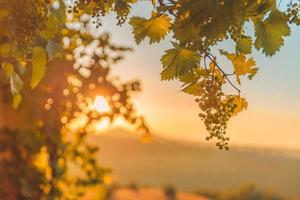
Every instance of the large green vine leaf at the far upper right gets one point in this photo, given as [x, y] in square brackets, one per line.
[270, 32]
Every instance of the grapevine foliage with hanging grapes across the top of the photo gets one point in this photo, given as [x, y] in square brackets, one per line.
[34, 33]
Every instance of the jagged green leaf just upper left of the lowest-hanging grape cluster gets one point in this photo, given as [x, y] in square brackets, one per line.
[178, 61]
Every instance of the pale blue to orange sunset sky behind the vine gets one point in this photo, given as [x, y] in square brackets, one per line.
[273, 116]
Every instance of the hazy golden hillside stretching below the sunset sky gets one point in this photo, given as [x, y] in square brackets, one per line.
[196, 166]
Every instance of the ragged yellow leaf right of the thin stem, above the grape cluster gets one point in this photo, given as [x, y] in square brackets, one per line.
[242, 65]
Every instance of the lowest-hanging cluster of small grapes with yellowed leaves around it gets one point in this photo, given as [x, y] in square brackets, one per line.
[216, 107]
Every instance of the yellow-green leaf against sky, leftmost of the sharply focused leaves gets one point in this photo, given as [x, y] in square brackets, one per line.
[156, 28]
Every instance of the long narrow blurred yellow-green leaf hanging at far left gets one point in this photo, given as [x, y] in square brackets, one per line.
[39, 60]
